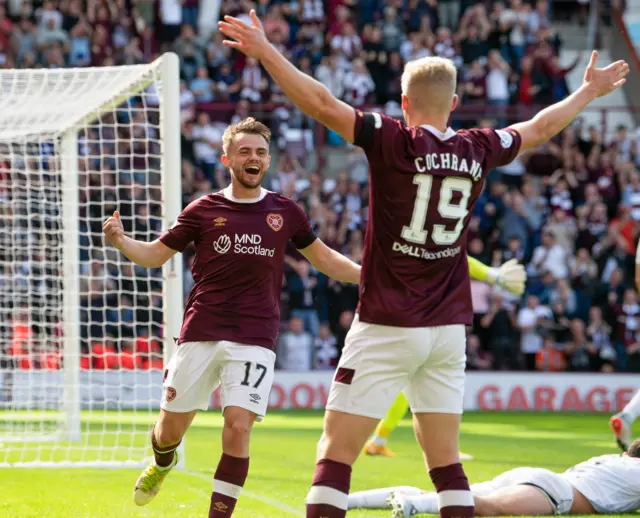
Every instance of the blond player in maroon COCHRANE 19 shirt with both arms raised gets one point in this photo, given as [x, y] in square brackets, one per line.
[415, 295]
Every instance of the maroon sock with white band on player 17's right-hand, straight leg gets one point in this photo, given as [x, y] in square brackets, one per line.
[227, 484]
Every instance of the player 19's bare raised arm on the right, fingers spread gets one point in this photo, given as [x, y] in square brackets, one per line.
[552, 120]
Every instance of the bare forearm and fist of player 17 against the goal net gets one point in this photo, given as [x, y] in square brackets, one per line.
[149, 255]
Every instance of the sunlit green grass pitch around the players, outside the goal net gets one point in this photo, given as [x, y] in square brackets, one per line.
[282, 463]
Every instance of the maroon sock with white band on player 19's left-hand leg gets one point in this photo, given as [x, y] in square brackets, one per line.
[329, 493]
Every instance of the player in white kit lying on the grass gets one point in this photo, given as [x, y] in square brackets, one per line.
[601, 485]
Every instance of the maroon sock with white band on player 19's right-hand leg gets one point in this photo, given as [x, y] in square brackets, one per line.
[455, 499]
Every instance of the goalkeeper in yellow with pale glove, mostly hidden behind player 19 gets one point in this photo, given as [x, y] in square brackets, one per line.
[510, 276]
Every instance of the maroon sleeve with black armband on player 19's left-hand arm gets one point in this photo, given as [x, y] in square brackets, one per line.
[379, 136]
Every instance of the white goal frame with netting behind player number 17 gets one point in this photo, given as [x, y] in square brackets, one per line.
[83, 331]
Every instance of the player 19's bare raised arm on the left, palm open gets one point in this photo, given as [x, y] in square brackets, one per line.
[311, 96]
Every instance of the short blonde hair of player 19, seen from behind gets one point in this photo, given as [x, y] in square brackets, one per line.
[430, 83]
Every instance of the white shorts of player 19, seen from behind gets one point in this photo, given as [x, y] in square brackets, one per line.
[380, 361]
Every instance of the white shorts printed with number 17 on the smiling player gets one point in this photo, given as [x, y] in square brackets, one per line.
[244, 373]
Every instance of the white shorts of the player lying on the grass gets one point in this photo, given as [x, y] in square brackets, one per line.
[557, 490]
